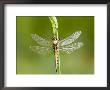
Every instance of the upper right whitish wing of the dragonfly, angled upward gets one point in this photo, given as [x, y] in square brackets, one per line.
[70, 39]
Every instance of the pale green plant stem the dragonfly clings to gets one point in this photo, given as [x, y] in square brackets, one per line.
[54, 23]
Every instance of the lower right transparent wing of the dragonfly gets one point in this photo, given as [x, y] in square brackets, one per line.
[70, 48]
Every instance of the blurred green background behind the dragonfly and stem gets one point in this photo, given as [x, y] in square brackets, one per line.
[80, 61]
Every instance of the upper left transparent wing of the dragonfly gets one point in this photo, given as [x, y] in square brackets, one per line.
[40, 40]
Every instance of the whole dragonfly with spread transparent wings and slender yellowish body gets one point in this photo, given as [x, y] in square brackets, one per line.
[67, 45]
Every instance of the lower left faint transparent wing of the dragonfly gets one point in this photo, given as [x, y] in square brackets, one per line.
[41, 50]
